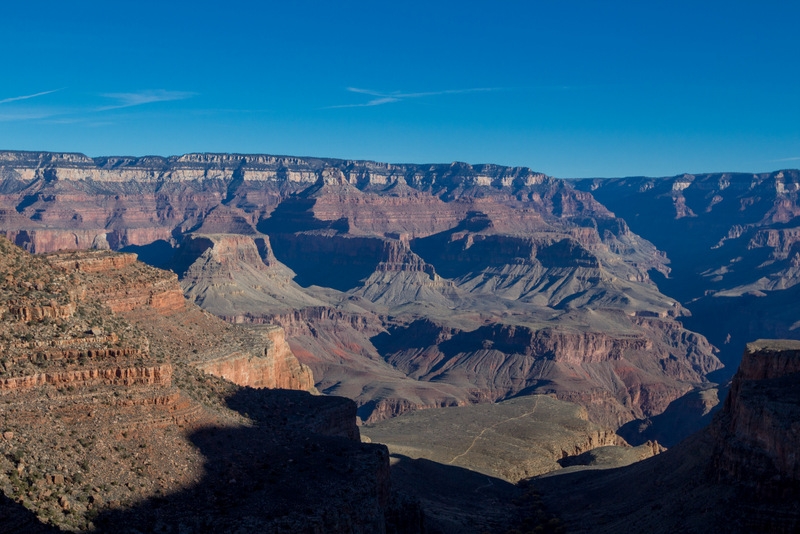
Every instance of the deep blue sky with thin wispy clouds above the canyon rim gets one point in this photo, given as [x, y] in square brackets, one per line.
[569, 88]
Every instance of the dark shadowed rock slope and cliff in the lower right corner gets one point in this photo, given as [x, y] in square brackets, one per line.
[738, 475]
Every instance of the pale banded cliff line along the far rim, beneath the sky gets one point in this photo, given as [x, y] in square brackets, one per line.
[255, 167]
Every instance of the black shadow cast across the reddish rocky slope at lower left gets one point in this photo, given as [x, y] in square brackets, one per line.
[282, 474]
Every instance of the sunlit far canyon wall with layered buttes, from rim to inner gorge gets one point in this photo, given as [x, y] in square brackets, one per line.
[400, 286]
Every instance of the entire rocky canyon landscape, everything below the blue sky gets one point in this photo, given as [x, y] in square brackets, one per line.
[504, 335]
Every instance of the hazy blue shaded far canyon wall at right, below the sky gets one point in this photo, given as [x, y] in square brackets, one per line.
[734, 248]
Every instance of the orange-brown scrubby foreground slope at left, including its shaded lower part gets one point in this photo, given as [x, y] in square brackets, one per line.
[113, 415]
